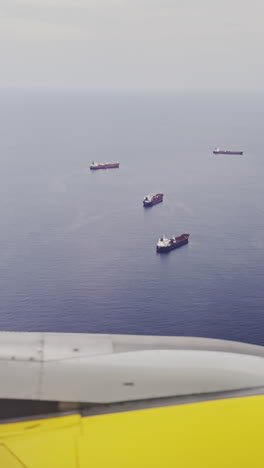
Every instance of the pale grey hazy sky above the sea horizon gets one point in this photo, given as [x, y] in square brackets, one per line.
[132, 44]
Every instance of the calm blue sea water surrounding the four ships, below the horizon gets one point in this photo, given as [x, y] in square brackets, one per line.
[77, 249]
